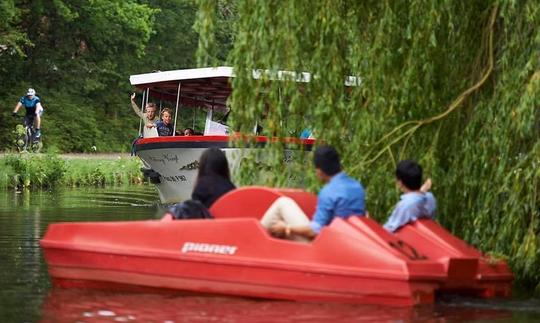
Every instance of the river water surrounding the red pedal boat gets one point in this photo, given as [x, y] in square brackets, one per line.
[26, 294]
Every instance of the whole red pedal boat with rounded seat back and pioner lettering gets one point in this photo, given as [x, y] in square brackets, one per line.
[349, 261]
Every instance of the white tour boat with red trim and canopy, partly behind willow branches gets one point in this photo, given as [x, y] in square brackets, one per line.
[171, 163]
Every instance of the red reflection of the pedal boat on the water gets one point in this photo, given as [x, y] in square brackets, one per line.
[102, 306]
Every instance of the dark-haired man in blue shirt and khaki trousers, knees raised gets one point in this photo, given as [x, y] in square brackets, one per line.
[342, 196]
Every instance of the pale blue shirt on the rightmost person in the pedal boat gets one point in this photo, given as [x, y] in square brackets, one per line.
[412, 206]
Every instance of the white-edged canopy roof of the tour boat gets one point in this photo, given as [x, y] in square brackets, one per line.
[210, 86]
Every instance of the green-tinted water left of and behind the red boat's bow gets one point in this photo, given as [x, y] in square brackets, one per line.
[24, 217]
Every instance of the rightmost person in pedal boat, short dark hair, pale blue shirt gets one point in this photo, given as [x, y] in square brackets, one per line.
[416, 202]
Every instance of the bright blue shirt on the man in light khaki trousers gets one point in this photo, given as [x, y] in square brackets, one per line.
[342, 196]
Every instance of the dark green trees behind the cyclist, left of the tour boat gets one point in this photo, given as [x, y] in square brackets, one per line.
[78, 55]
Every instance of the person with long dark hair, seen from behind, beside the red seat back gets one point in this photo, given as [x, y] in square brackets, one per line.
[213, 179]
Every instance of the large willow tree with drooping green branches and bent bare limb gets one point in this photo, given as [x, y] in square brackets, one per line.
[452, 84]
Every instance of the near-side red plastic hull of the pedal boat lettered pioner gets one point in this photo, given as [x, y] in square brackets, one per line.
[340, 265]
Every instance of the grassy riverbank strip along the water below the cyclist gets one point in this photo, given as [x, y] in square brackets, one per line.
[70, 170]
